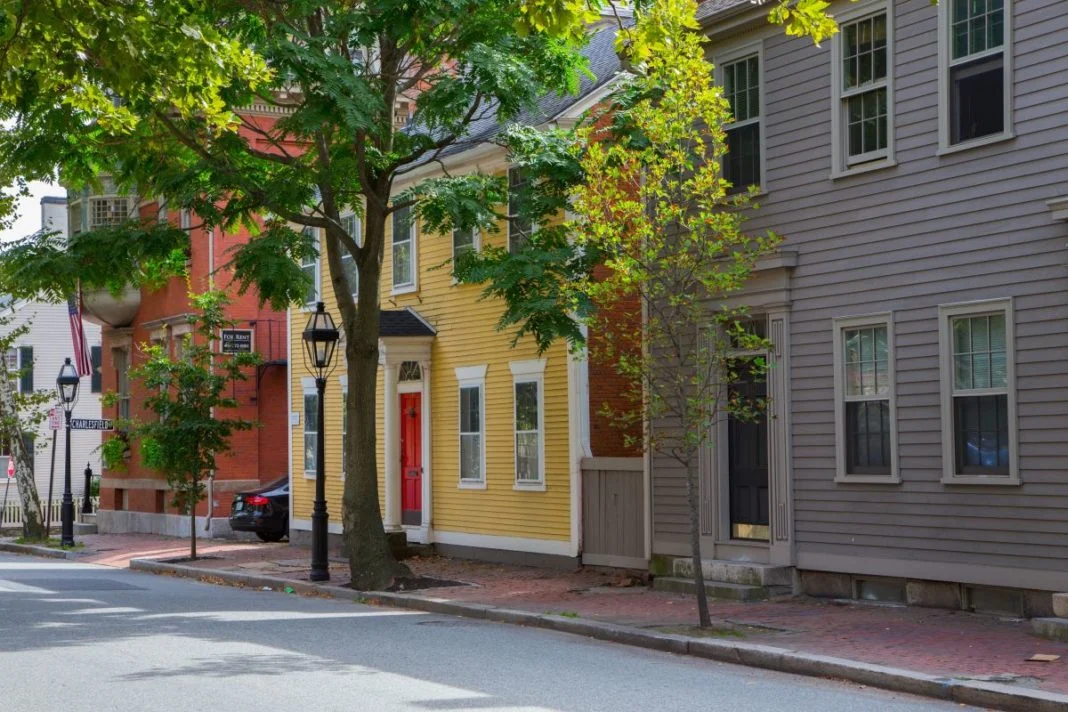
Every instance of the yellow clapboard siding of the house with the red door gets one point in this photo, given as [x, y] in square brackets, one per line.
[466, 338]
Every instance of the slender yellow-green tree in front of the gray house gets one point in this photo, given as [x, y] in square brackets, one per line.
[656, 208]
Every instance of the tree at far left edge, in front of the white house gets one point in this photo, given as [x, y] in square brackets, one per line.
[20, 415]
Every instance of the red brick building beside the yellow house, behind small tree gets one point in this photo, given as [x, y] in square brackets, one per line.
[136, 499]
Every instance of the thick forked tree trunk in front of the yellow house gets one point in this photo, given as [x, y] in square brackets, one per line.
[371, 561]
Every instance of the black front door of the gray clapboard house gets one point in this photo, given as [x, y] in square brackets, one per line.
[748, 461]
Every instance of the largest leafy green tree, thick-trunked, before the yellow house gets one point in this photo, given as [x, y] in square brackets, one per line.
[325, 77]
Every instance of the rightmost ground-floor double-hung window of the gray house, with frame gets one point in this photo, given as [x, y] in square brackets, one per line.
[979, 393]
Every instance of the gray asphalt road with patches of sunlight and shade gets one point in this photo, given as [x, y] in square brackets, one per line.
[86, 638]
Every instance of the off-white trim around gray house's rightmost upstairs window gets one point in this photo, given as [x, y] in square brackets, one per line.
[945, 64]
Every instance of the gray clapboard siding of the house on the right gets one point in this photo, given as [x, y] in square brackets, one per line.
[934, 230]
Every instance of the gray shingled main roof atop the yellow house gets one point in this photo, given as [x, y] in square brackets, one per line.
[604, 65]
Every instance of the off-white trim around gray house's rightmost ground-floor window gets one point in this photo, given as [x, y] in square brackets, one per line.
[946, 313]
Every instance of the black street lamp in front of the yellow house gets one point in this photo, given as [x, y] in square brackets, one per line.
[321, 340]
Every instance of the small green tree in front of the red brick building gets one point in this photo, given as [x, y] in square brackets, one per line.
[190, 393]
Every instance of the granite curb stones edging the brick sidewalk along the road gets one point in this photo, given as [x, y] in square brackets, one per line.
[783, 660]
